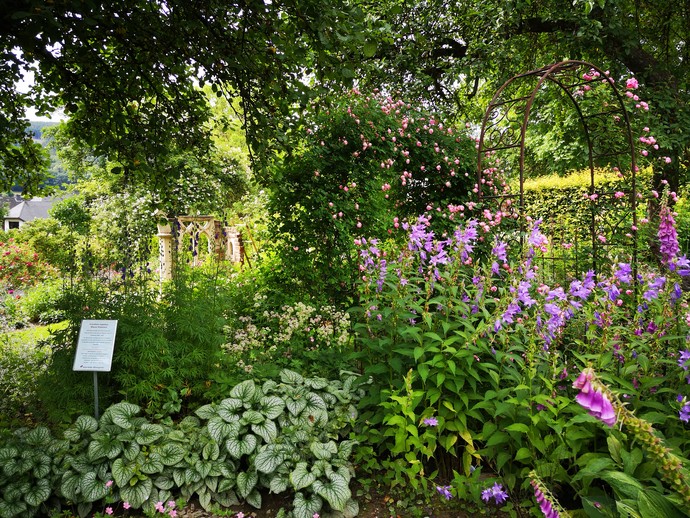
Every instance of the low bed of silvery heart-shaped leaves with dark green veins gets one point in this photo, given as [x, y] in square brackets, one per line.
[282, 435]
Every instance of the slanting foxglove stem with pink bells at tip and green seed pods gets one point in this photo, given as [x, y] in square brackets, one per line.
[666, 462]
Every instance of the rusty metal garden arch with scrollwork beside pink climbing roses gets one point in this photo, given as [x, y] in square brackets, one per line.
[568, 76]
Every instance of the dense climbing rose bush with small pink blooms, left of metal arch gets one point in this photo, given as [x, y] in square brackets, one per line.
[363, 165]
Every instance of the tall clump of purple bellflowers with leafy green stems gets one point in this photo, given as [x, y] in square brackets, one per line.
[470, 358]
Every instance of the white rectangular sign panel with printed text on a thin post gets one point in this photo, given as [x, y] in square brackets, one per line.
[95, 346]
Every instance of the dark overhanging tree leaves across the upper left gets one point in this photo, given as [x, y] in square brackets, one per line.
[127, 73]
